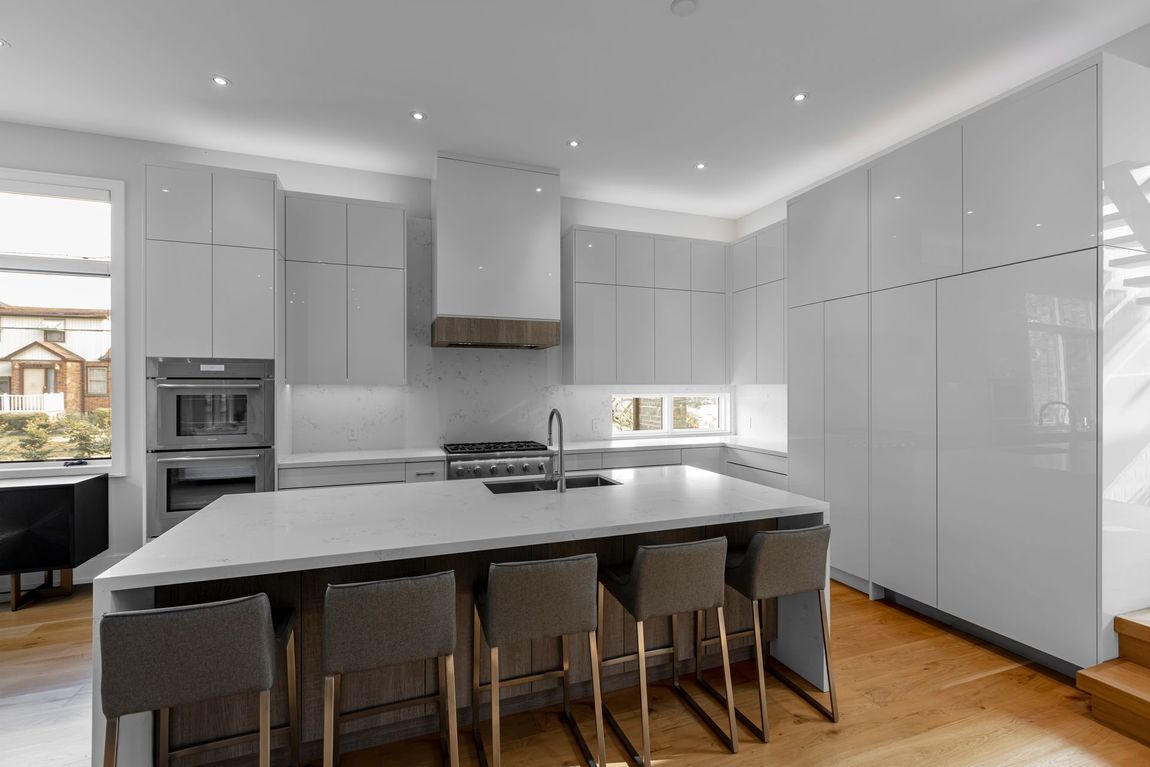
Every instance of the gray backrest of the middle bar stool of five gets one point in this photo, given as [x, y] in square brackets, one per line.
[547, 599]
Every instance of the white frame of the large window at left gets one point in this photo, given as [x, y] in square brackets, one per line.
[51, 185]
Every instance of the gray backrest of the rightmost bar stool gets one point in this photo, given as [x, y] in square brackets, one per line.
[781, 563]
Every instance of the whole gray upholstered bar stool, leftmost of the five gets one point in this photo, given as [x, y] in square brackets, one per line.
[156, 659]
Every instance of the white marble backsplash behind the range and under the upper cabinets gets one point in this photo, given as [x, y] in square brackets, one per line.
[464, 395]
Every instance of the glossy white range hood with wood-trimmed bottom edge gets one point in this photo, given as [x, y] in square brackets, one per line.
[496, 266]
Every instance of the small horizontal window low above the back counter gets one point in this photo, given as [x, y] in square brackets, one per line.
[666, 415]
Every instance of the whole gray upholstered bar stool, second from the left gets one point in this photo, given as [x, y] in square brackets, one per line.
[380, 624]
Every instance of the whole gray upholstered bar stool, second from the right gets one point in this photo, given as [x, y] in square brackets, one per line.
[666, 581]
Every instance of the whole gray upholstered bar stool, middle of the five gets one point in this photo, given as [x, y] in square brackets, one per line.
[550, 599]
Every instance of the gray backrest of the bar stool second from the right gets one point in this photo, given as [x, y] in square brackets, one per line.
[678, 578]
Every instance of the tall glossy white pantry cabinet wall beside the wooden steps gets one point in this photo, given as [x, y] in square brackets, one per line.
[965, 325]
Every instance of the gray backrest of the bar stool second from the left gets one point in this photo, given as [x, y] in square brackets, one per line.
[382, 624]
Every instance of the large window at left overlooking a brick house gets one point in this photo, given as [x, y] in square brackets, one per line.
[58, 240]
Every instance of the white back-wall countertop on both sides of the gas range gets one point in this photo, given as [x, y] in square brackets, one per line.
[404, 455]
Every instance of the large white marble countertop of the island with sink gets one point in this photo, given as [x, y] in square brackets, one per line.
[328, 527]
